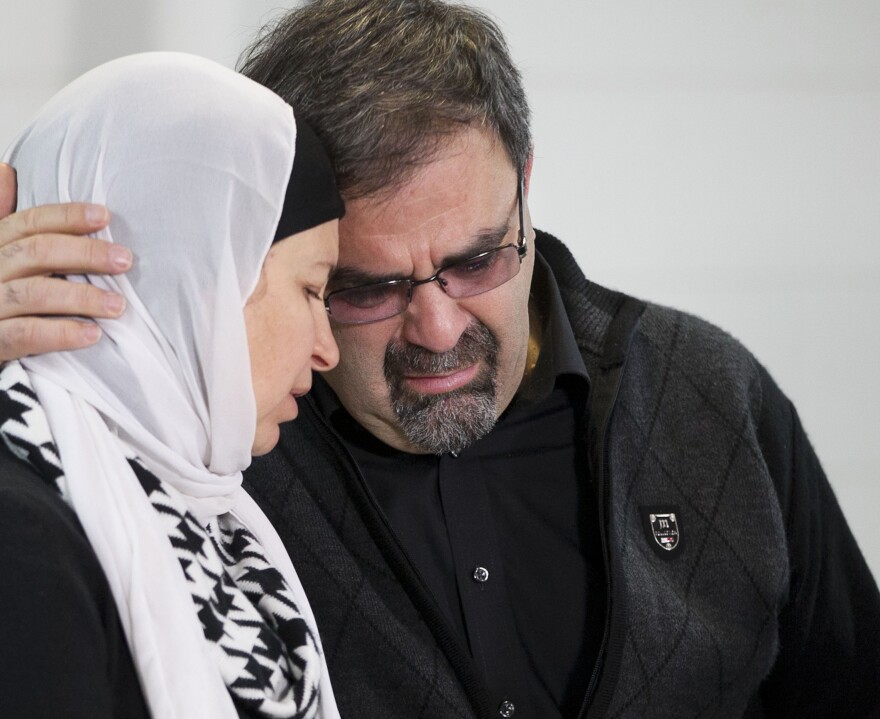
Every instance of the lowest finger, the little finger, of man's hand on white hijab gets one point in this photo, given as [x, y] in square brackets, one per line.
[37, 335]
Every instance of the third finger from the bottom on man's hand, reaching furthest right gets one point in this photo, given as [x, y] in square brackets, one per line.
[63, 254]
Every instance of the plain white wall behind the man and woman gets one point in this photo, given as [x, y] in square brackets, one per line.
[720, 157]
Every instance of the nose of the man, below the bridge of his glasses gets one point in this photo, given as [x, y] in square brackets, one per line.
[433, 319]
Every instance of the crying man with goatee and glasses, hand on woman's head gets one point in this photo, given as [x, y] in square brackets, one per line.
[519, 494]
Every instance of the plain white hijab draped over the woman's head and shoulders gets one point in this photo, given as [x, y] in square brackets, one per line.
[193, 160]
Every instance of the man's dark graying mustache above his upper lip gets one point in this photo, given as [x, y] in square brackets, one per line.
[476, 343]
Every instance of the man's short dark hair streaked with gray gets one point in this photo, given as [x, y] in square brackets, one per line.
[384, 82]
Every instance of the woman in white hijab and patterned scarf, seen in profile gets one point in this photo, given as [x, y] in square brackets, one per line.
[120, 475]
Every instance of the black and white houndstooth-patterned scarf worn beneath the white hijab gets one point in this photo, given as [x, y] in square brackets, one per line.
[265, 651]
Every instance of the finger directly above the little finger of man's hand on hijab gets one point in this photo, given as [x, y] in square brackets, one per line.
[53, 296]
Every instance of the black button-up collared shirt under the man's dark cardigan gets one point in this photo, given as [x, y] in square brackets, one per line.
[506, 534]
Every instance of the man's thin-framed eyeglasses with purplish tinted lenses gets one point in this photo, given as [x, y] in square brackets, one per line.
[465, 278]
